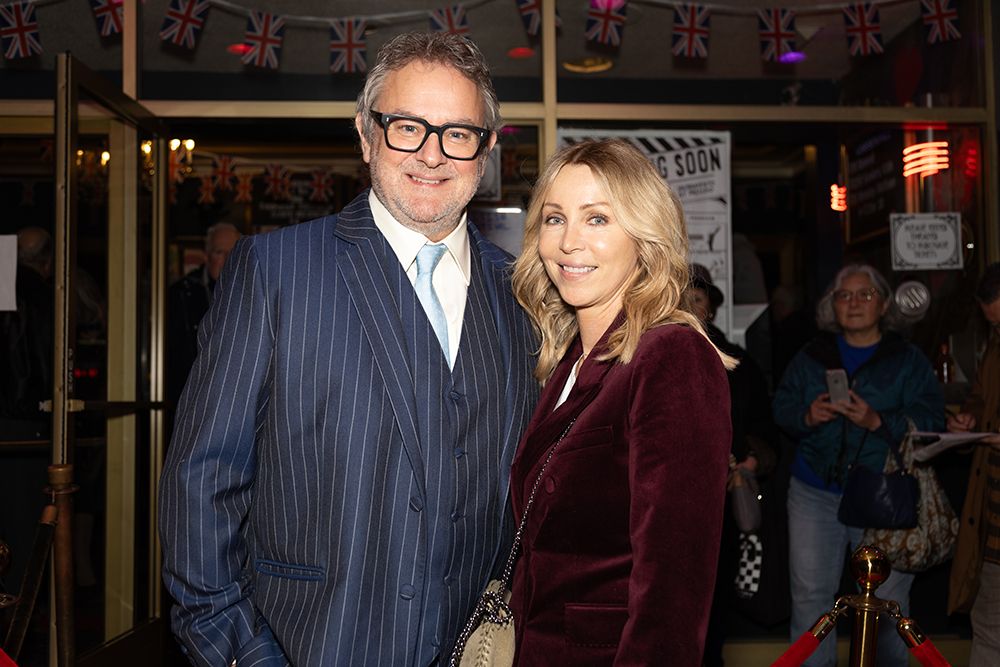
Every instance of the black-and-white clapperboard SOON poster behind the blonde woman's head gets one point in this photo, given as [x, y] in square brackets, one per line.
[696, 164]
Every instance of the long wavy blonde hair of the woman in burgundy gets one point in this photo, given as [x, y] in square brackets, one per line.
[651, 215]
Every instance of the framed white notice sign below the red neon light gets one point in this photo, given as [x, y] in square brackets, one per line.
[926, 241]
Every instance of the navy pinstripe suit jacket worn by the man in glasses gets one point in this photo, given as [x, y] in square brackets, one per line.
[290, 502]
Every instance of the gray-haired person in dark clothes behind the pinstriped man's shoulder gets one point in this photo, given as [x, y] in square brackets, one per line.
[187, 302]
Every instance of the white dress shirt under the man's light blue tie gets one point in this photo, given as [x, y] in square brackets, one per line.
[451, 275]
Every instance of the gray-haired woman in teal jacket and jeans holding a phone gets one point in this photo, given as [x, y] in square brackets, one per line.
[891, 383]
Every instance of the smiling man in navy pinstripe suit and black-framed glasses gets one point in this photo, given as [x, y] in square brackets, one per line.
[336, 488]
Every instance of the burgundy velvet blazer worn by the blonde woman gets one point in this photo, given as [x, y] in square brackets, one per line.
[619, 554]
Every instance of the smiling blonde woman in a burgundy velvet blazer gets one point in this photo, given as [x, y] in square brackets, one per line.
[619, 552]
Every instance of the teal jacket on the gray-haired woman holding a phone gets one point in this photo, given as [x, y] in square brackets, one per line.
[897, 382]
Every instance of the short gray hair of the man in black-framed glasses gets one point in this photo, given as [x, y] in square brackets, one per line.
[438, 48]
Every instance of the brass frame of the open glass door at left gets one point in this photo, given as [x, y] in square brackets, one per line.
[127, 119]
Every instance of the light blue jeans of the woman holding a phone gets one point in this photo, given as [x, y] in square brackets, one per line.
[817, 542]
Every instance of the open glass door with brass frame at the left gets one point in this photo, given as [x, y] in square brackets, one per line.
[107, 410]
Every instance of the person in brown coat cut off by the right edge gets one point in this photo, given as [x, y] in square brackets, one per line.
[975, 570]
